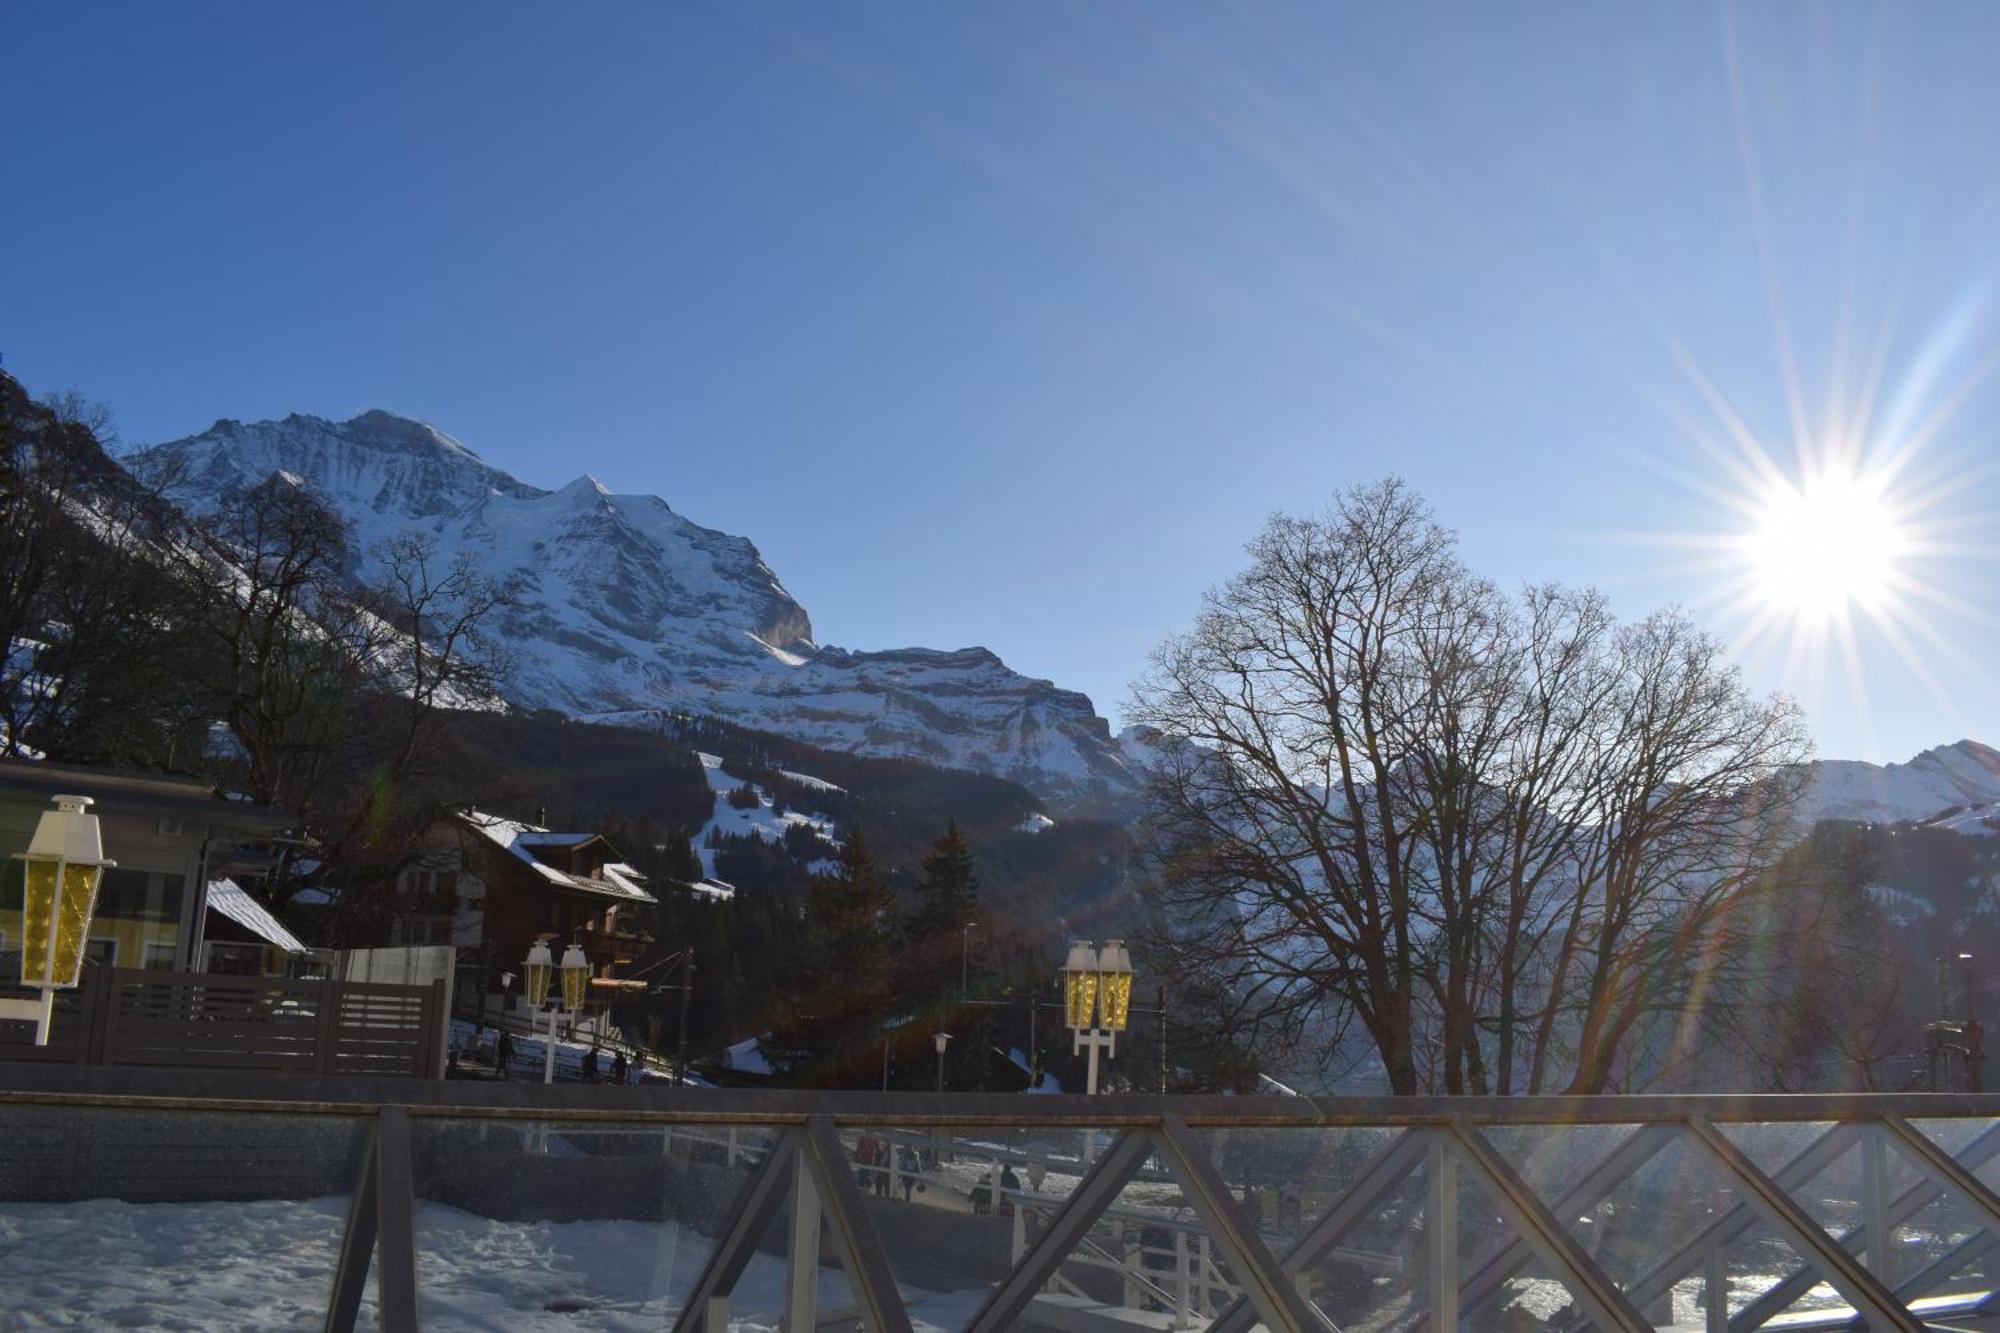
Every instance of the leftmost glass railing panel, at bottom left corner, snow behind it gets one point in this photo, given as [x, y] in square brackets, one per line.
[171, 1218]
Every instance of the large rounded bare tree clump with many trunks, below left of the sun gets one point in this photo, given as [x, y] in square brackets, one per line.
[1495, 834]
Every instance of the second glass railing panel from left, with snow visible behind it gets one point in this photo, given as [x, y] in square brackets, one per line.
[529, 1224]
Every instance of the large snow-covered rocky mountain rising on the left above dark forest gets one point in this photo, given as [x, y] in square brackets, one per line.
[629, 609]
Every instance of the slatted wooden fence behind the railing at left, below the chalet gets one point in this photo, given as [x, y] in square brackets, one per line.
[213, 1022]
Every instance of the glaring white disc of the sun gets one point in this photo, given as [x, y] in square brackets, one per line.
[1827, 545]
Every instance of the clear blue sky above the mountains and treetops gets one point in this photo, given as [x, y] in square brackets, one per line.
[1009, 323]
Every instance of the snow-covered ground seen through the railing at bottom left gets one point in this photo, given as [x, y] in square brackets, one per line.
[219, 1268]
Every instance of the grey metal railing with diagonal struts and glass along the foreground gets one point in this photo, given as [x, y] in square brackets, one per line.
[1633, 1210]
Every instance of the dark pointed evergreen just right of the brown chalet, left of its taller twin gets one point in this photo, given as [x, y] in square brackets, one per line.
[831, 1012]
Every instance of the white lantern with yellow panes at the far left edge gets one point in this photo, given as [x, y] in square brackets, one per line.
[61, 876]
